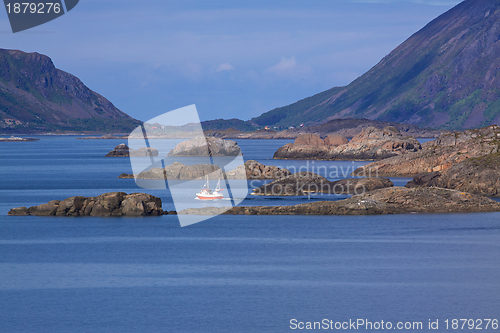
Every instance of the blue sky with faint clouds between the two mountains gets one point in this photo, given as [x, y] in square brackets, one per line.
[233, 59]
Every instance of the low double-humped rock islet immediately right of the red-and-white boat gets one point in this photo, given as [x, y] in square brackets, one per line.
[305, 183]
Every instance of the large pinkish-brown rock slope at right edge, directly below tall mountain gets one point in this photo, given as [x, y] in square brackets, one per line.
[439, 155]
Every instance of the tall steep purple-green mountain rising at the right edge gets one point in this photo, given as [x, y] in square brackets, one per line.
[446, 76]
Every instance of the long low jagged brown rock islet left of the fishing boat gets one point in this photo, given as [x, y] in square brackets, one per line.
[108, 204]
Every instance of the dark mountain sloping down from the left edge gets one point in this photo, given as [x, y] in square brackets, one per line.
[36, 97]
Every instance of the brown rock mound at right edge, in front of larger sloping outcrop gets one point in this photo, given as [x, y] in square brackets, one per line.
[473, 175]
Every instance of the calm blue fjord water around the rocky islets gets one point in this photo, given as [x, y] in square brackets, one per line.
[229, 273]
